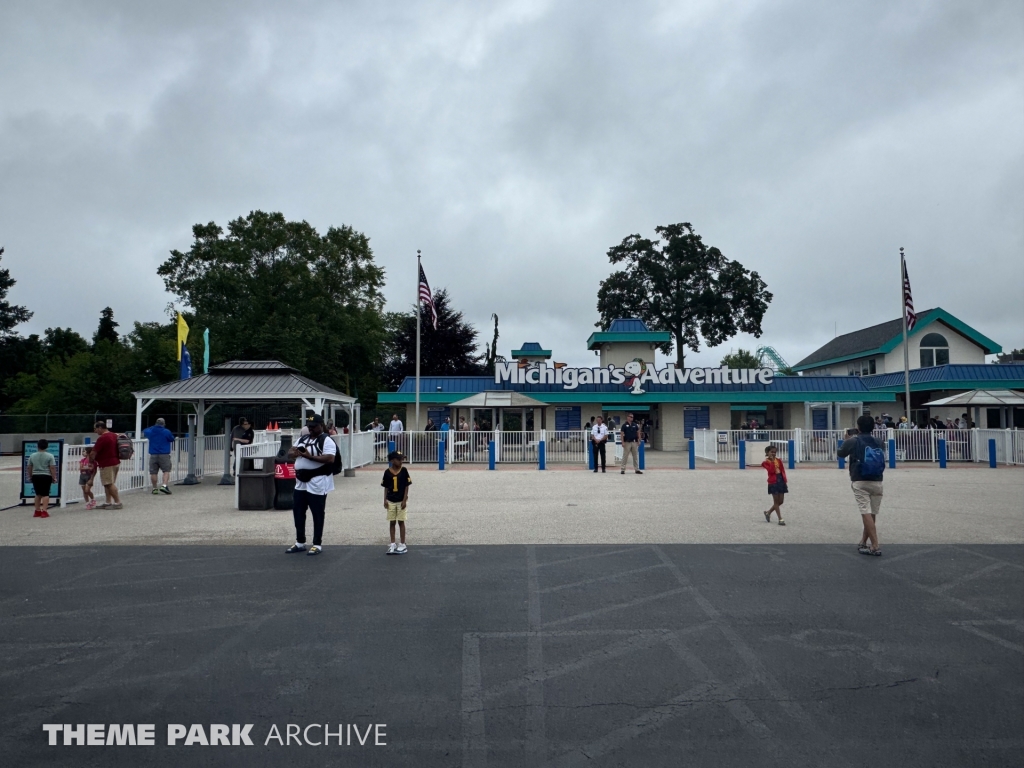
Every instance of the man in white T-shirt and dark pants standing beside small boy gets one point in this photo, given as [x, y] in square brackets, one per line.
[314, 455]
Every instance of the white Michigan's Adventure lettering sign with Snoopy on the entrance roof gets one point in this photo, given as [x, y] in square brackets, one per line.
[633, 376]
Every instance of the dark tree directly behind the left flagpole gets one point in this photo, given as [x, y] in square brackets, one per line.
[450, 351]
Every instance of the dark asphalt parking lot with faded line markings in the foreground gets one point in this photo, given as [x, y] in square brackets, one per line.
[707, 655]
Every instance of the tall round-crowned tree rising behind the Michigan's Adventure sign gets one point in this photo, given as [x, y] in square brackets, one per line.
[680, 285]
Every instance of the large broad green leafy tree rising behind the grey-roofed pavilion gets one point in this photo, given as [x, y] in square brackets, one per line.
[275, 289]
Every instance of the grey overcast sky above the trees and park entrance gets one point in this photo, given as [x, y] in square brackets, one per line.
[516, 143]
